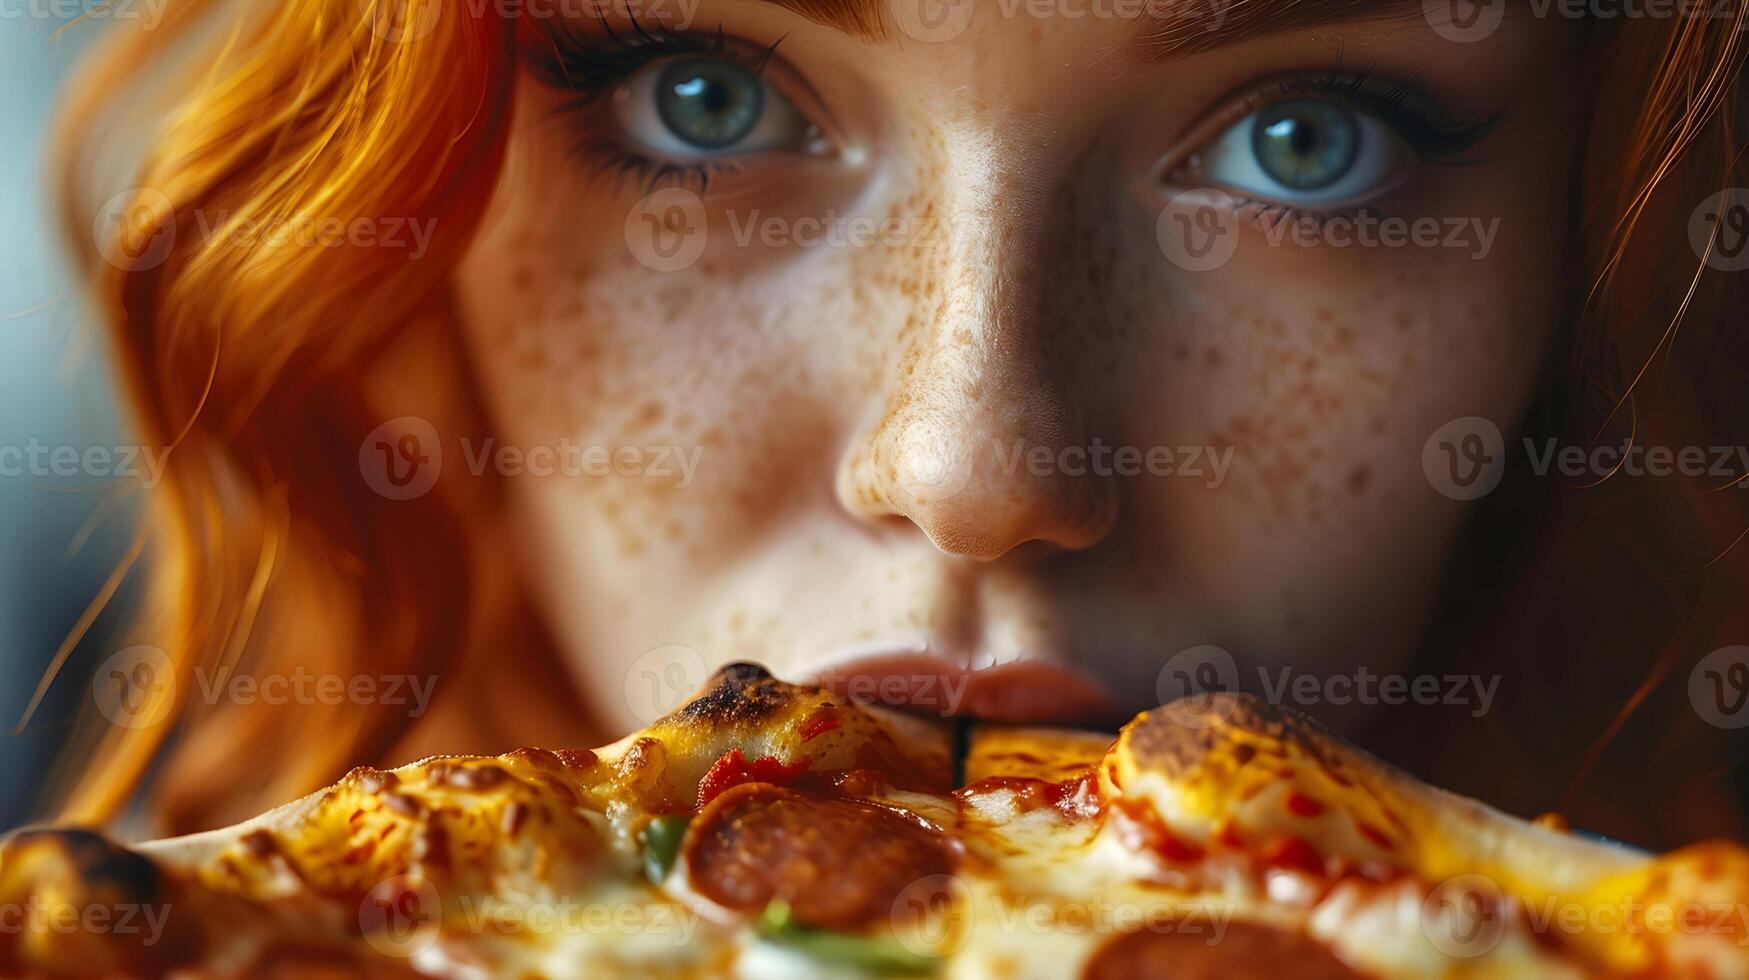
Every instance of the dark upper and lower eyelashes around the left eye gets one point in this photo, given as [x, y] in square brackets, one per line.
[592, 67]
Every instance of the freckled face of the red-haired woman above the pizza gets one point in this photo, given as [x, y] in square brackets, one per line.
[991, 356]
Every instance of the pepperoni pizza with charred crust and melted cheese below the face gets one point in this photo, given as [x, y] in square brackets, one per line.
[769, 830]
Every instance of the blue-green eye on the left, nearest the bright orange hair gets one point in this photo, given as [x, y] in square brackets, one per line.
[693, 108]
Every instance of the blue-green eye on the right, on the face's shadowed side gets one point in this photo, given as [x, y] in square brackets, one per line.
[1311, 151]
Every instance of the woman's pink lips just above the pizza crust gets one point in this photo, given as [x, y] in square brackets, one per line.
[1035, 692]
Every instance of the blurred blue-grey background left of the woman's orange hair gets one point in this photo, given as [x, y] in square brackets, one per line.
[55, 391]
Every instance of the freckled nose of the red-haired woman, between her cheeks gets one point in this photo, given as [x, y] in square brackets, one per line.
[980, 442]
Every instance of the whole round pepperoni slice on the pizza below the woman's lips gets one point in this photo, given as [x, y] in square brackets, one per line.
[839, 864]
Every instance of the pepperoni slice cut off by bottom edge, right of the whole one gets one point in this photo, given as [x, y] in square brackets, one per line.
[1244, 951]
